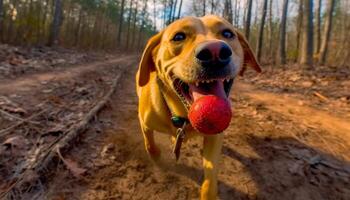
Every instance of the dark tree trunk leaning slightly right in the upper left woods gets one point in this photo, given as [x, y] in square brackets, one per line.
[56, 23]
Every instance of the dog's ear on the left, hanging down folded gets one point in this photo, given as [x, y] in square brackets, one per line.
[147, 64]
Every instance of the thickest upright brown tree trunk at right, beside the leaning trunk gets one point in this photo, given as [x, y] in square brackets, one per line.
[307, 44]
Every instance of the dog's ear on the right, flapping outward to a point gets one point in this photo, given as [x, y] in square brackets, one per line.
[249, 57]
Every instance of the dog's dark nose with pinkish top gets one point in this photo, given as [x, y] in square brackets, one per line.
[213, 52]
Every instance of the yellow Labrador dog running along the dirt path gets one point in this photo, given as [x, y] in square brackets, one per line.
[191, 57]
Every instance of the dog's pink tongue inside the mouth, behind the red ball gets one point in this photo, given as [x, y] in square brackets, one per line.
[214, 88]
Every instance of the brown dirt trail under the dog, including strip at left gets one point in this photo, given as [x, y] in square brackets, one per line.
[275, 148]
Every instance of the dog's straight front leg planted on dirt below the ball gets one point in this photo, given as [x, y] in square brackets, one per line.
[211, 156]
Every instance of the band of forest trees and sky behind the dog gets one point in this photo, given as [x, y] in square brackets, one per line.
[302, 31]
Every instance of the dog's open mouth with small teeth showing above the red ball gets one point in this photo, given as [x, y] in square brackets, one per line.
[190, 92]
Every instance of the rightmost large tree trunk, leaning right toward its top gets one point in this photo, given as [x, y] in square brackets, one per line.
[327, 31]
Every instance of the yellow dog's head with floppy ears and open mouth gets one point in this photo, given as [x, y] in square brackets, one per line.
[196, 57]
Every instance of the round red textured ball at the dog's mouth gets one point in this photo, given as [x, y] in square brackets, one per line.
[210, 114]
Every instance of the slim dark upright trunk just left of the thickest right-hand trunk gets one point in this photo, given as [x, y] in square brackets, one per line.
[282, 39]
